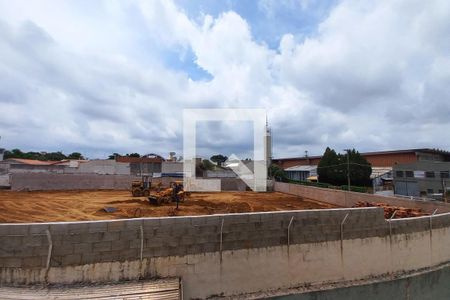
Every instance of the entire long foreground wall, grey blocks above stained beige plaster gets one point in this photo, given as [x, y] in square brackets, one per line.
[226, 255]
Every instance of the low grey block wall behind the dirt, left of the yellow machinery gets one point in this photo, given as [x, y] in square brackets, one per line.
[44, 181]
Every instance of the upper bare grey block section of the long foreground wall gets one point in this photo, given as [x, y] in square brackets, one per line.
[80, 243]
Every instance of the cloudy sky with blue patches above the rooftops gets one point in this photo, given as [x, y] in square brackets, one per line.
[99, 77]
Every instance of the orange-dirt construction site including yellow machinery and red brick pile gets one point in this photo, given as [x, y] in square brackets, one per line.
[143, 200]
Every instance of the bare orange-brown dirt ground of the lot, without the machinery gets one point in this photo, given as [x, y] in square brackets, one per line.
[88, 205]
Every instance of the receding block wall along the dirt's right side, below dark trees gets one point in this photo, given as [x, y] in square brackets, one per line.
[348, 199]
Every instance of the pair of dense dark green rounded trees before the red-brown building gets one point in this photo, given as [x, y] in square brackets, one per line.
[333, 168]
